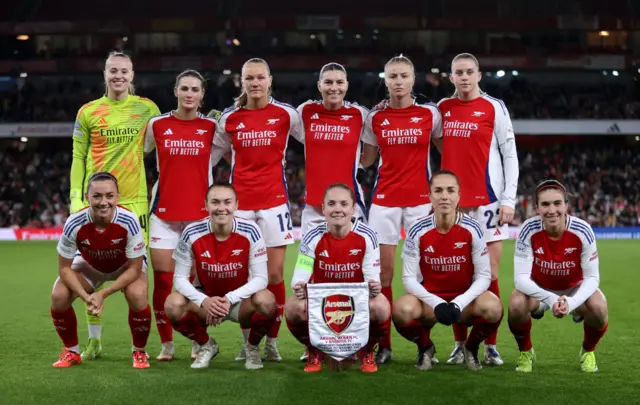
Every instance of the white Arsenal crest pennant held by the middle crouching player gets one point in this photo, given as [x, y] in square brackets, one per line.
[338, 317]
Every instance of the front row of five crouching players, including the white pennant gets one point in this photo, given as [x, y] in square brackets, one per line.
[337, 309]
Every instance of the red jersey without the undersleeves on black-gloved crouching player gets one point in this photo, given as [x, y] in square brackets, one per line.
[448, 262]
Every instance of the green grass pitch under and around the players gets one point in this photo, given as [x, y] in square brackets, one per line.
[29, 345]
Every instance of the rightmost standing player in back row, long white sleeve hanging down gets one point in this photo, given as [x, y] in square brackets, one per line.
[478, 145]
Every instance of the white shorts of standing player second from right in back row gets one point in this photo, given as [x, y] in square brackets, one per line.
[387, 221]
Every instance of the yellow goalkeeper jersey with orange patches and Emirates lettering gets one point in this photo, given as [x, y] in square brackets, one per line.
[109, 136]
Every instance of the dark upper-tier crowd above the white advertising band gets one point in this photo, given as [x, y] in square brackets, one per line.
[60, 101]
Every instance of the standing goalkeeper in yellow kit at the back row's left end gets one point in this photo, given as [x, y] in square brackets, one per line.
[108, 136]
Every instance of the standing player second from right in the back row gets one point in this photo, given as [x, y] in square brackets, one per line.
[402, 129]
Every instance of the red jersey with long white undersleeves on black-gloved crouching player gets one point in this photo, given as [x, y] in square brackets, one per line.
[453, 267]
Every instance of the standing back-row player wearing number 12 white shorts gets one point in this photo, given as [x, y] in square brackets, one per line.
[256, 130]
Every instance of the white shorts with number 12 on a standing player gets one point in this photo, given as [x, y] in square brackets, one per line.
[275, 224]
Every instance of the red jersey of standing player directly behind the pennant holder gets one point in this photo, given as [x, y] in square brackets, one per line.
[331, 147]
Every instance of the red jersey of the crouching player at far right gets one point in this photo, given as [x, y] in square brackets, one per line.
[557, 265]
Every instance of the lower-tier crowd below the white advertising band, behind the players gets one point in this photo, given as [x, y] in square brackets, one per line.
[604, 182]
